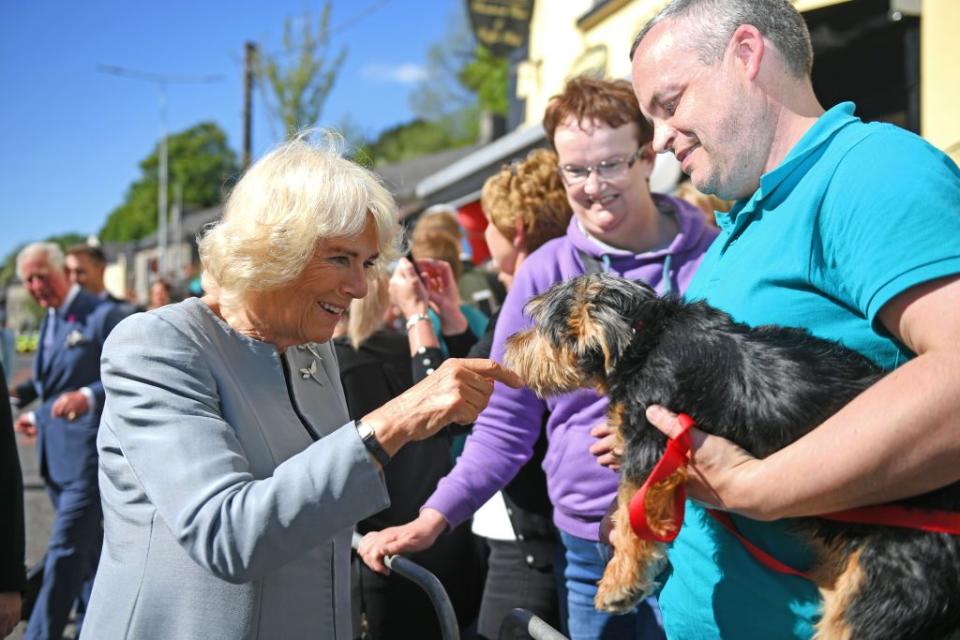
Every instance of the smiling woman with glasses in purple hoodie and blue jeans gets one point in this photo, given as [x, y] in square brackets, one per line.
[605, 160]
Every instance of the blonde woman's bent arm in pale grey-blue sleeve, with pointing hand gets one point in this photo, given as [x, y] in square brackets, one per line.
[164, 411]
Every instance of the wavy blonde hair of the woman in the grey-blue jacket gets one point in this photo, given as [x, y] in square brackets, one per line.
[296, 195]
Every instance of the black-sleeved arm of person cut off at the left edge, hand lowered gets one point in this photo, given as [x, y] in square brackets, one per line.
[12, 576]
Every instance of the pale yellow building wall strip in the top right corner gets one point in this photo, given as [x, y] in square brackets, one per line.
[940, 74]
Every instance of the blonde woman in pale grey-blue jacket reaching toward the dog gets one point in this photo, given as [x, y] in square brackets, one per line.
[231, 473]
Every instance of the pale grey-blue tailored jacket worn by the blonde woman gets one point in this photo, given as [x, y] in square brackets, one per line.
[222, 517]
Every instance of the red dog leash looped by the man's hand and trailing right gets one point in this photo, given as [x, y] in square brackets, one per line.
[675, 457]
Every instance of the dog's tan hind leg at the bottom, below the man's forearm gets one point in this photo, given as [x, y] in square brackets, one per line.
[839, 578]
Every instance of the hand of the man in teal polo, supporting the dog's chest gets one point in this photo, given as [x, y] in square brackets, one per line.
[720, 472]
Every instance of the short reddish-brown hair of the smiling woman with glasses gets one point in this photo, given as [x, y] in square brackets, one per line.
[611, 102]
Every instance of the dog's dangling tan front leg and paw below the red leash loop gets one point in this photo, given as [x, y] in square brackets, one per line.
[627, 578]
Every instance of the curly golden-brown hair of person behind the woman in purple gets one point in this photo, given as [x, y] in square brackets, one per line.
[532, 191]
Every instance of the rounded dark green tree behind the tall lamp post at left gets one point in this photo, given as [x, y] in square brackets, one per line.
[199, 160]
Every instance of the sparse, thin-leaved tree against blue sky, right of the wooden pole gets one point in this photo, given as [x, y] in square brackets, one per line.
[298, 80]
